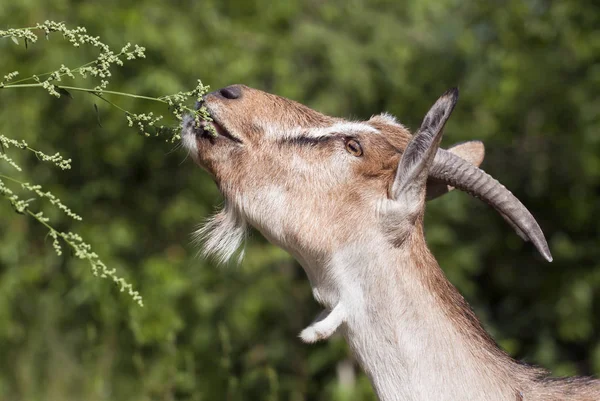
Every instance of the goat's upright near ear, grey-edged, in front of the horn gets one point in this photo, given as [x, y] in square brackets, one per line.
[411, 177]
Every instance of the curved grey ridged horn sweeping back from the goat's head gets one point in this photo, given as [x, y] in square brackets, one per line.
[459, 173]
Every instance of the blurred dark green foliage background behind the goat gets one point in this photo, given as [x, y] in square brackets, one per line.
[529, 73]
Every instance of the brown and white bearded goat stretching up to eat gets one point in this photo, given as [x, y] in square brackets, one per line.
[347, 200]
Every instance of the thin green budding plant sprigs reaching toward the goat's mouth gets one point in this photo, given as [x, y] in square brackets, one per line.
[100, 69]
